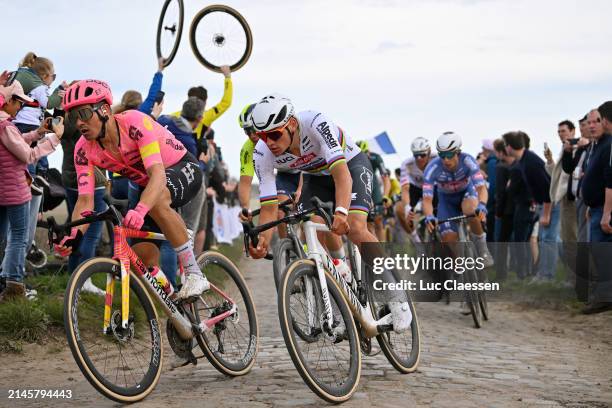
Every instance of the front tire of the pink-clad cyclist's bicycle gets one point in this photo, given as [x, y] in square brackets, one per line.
[74, 333]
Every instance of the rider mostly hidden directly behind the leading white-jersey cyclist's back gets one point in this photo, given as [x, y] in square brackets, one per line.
[375, 217]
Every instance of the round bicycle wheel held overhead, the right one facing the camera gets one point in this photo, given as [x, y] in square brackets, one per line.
[219, 35]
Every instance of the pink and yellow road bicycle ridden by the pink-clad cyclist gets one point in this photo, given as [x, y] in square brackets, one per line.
[116, 339]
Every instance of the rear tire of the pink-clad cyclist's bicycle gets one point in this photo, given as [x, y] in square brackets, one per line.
[244, 362]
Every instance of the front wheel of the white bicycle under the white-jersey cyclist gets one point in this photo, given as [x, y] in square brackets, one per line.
[329, 365]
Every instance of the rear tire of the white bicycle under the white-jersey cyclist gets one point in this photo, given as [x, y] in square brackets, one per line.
[403, 365]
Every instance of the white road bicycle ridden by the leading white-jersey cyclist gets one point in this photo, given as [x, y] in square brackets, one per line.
[326, 321]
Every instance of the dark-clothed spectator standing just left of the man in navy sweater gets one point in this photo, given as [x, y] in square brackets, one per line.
[504, 208]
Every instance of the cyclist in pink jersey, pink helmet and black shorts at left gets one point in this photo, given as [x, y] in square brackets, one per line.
[135, 146]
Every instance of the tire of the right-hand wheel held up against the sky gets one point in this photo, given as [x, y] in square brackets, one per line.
[241, 20]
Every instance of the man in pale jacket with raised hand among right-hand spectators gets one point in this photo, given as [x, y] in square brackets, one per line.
[561, 194]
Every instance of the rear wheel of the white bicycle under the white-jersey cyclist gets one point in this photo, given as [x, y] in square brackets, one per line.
[403, 350]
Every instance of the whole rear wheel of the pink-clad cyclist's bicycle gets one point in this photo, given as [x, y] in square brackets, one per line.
[231, 344]
